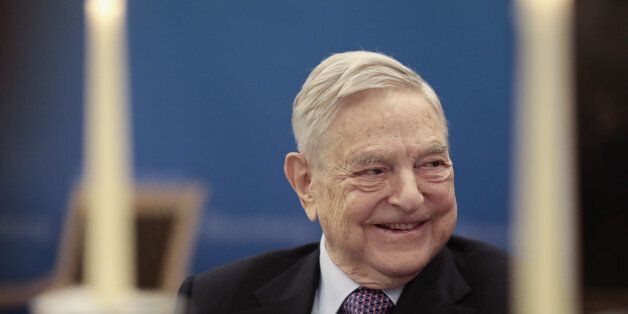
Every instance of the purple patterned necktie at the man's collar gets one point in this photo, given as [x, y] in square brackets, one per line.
[365, 300]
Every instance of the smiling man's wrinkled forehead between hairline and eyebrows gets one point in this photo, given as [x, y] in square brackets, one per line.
[369, 117]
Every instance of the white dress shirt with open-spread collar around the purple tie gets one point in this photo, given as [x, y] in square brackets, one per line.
[335, 286]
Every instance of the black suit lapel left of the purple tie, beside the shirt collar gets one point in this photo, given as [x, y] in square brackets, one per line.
[293, 290]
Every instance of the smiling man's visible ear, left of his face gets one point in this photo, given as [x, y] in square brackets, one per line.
[297, 171]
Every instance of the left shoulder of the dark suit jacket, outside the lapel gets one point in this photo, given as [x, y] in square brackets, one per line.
[234, 283]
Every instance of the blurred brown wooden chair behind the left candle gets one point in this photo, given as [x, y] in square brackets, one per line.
[166, 220]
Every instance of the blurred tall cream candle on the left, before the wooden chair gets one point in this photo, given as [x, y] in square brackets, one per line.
[109, 262]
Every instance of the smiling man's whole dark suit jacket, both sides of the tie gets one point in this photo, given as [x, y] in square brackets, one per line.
[467, 276]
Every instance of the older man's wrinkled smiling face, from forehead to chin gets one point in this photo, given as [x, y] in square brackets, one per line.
[384, 187]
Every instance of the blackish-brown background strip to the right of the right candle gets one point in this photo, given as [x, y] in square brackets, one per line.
[602, 75]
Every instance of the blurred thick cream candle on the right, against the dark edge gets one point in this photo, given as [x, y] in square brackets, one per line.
[545, 266]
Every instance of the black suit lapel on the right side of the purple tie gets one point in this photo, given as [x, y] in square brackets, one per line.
[436, 289]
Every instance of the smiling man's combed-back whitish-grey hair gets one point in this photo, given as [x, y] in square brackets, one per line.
[344, 74]
